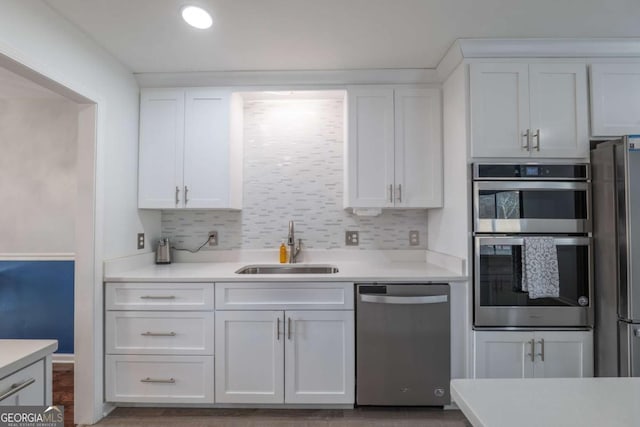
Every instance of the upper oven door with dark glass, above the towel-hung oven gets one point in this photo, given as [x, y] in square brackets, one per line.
[531, 207]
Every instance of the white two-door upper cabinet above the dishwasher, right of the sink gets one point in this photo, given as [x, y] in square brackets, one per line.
[394, 149]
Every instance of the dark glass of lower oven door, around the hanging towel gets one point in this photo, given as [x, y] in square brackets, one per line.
[499, 272]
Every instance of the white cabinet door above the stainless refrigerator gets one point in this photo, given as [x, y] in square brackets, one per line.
[615, 99]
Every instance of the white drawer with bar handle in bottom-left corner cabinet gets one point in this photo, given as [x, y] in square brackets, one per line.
[30, 381]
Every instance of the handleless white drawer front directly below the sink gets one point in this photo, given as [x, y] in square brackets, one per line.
[284, 296]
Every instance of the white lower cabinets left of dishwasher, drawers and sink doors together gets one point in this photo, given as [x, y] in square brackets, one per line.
[275, 343]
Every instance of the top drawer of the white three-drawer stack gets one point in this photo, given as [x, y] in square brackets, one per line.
[159, 296]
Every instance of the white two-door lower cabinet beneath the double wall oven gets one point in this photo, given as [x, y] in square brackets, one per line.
[533, 354]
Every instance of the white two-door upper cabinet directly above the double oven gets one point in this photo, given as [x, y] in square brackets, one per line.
[529, 110]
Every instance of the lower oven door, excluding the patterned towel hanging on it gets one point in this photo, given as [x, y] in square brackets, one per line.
[499, 302]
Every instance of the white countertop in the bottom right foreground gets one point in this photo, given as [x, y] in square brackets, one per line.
[549, 402]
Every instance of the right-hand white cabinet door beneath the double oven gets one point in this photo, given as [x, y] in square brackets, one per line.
[564, 354]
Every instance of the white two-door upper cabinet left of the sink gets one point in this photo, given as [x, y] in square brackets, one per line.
[187, 156]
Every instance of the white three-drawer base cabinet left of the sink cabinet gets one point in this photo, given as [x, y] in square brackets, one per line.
[159, 341]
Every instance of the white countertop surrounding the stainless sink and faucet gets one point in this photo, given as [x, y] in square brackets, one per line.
[359, 271]
